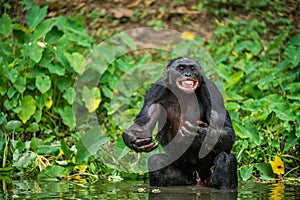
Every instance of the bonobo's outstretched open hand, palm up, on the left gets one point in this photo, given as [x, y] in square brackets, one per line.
[137, 143]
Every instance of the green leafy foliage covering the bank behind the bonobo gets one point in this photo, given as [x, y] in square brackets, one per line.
[257, 57]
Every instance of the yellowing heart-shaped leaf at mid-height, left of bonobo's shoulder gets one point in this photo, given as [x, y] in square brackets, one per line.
[91, 98]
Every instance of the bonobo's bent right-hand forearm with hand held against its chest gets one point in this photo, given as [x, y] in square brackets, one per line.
[221, 139]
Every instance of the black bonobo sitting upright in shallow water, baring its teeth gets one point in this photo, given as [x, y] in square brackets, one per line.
[194, 129]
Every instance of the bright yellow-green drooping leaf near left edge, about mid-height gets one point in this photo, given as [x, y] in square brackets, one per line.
[28, 107]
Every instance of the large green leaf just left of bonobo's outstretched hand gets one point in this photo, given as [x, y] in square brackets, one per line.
[89, 144]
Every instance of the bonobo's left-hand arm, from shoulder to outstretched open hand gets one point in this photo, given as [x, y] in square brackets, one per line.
[139, 136]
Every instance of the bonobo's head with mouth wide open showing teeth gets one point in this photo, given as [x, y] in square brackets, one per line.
[185, 73]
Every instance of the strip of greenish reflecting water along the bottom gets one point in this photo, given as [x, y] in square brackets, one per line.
[29, 189]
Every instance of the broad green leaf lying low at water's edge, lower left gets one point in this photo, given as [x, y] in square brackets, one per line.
[53, 172]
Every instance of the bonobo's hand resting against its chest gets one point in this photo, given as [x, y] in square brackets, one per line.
[189, 129]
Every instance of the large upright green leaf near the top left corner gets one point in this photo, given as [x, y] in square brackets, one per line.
[35, 15]
